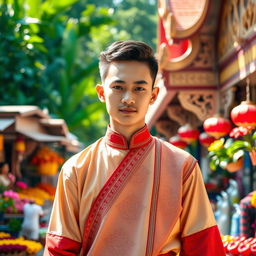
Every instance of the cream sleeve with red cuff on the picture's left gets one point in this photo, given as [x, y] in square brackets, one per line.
[63, 236]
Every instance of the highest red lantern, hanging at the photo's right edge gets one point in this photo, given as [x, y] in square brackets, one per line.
[244, 114]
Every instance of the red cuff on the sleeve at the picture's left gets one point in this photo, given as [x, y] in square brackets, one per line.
[60, 245]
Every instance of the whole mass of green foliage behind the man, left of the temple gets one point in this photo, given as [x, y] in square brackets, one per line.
[49, 54]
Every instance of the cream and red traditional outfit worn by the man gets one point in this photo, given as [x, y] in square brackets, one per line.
[142, 199]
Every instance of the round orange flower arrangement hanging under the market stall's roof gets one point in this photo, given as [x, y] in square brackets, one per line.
[47, 161]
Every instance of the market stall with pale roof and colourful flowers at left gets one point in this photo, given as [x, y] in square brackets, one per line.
[33, 147]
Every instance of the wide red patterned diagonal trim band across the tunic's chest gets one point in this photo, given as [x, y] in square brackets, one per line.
[109, 192]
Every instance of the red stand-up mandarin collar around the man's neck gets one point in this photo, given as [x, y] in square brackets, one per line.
[139, 139]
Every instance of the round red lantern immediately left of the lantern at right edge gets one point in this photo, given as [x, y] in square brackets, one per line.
[217, 126]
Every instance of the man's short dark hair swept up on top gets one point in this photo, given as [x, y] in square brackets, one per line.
[131, 51]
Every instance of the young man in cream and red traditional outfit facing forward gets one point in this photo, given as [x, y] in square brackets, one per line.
[130, 194]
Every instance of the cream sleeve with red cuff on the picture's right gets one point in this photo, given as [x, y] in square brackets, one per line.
[199, 232]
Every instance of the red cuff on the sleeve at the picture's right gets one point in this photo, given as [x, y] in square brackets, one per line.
[206, 242]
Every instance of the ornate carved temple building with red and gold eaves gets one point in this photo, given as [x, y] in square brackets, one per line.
[207, 55]
